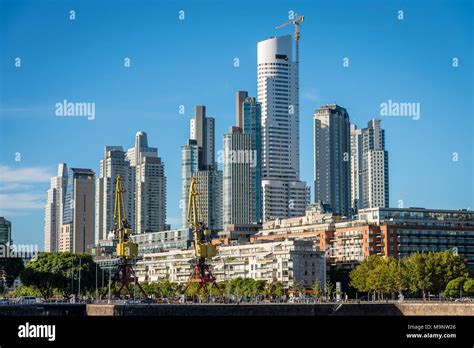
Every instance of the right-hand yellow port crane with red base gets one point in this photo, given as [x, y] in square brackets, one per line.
[203, 248]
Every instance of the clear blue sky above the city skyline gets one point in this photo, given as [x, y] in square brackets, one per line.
[191, 62]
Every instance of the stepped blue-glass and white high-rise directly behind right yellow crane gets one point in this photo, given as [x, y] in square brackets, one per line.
[198, 159]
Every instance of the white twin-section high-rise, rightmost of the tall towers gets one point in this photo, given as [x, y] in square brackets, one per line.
[369, 174]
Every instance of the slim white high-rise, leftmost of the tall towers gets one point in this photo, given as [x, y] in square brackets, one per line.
[54, 208]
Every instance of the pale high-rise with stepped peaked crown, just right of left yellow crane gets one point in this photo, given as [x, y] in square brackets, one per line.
[149, 186]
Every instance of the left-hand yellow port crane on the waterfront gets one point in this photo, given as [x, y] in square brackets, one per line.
[127, 250]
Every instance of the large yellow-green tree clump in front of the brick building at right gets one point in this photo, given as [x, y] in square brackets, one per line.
[418, 273]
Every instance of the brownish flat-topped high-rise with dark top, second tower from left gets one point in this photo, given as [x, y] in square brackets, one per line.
[77, 232]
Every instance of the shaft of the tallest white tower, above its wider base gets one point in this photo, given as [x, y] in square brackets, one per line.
[277, 94]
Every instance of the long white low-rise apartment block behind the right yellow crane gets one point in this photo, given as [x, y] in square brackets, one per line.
[290, 262]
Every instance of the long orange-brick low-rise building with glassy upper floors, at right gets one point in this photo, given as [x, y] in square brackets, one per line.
[393, 232]
